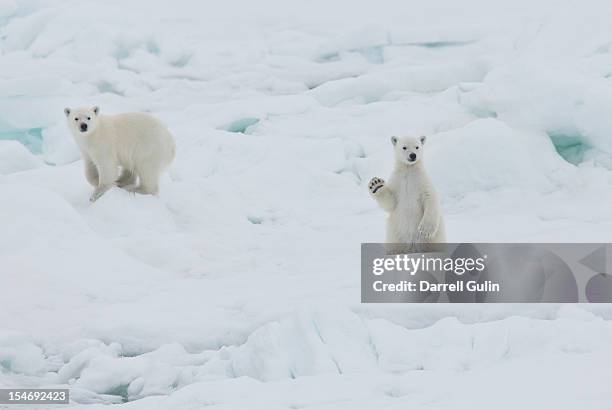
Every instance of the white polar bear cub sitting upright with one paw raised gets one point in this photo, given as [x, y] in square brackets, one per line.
[409, 197]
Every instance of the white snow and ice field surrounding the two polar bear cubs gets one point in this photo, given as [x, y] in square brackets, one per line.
[238, 287]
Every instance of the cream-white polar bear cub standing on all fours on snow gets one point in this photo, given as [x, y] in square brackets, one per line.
[138, 143]
